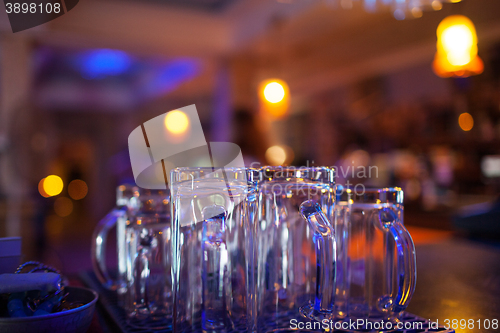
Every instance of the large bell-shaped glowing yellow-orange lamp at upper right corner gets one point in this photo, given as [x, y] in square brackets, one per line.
[457, 48]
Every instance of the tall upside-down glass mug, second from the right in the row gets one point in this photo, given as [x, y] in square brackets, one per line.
[294, 257]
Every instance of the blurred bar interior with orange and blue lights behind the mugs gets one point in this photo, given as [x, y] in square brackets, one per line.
[360, 94]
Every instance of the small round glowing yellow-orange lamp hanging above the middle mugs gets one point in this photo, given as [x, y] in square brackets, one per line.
[274, 97]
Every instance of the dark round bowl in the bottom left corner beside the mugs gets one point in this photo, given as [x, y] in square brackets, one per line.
[76, 320]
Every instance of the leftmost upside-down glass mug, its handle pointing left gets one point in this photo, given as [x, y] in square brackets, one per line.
[142, 220]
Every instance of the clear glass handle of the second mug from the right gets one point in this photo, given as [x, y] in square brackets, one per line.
[325, 245]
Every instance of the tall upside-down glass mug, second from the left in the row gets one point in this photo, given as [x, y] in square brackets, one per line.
[211, 211]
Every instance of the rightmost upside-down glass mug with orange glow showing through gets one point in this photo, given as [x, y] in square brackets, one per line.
[378, 262]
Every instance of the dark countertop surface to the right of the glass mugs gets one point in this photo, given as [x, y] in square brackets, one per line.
[458, 279]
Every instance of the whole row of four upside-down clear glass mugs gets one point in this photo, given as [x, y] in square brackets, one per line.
[252, 249]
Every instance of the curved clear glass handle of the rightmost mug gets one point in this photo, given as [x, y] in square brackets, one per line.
[406, 263]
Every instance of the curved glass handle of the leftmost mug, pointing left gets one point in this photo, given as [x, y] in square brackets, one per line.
[98, 247]
